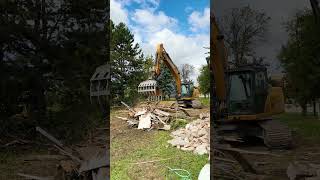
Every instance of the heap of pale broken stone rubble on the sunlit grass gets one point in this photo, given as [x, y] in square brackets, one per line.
[194, 137]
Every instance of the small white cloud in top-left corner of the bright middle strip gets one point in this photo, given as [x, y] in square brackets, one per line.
[118, 13]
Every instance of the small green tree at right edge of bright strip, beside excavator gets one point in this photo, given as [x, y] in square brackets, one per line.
[204, 80]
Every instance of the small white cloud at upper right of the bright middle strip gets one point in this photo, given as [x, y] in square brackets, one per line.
[199, 20]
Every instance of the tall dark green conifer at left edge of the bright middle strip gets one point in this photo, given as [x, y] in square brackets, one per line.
[127, 63]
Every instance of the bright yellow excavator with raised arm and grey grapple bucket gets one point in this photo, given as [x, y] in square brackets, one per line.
[187, 94]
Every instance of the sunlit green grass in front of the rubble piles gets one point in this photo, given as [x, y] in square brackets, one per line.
[154, 149]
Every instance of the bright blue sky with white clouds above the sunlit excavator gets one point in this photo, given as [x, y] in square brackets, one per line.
[181, 25]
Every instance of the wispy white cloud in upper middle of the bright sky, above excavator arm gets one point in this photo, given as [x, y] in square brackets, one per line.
[152, 21]
